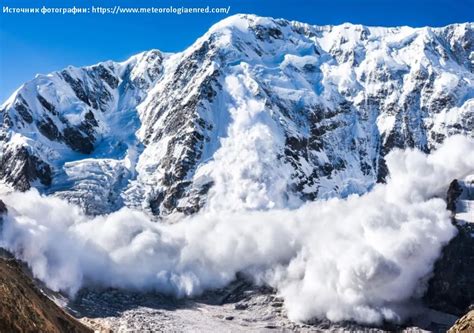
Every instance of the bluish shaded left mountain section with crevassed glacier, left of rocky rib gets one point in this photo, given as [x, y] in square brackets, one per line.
[72, 132]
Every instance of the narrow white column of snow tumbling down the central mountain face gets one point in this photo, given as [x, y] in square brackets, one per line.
[246, 169]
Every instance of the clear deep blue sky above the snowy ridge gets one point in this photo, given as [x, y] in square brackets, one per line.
[31, 44]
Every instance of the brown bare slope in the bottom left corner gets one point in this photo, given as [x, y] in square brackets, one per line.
[24, 308]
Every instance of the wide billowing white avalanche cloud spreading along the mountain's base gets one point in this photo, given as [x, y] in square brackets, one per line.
[362, 258]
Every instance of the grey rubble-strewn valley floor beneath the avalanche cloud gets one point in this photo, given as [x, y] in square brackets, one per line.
[241, 307]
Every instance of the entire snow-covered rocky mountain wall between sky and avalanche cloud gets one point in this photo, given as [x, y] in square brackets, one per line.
[263, 112]
